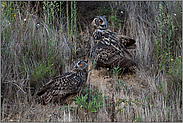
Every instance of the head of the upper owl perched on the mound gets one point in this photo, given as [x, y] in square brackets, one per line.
[99, 22]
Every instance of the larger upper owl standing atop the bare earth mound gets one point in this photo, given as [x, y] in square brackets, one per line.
[110, 49]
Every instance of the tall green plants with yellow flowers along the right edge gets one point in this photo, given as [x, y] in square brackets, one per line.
[168, 58]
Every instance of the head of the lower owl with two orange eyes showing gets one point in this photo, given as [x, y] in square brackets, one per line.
[79, 65]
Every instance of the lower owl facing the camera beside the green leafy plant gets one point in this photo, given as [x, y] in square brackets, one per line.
[66, 85]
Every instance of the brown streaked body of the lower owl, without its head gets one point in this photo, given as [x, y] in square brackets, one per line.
[62, 85]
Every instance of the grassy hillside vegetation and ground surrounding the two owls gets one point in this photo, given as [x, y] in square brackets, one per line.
[40, 39]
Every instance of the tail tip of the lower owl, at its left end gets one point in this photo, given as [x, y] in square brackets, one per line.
[44, 99]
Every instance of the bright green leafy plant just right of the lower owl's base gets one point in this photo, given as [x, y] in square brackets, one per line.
[91, 101]
